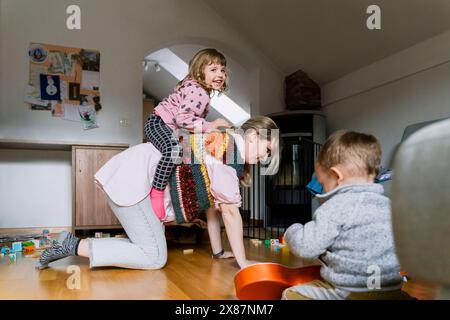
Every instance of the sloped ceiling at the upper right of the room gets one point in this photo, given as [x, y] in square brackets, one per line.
[327, 38]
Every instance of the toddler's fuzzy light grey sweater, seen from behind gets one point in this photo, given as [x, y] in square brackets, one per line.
[351, 232]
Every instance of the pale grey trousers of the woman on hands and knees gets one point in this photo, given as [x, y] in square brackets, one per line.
[146, 247]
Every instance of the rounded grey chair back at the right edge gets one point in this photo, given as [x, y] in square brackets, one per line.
[420, 195]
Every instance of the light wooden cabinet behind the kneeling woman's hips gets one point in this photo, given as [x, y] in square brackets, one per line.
[90, 208]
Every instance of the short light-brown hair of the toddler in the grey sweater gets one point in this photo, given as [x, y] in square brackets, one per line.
[359, 152]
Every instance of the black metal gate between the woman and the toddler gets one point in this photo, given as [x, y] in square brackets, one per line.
[273, 203]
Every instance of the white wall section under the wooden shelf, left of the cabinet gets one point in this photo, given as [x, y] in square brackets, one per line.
[34, 189]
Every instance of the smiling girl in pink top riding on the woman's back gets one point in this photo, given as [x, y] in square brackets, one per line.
[186, 108]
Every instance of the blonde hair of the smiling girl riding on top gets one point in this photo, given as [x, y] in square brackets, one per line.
[197, 66]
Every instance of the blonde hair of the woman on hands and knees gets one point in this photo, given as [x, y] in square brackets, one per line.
[263, 126]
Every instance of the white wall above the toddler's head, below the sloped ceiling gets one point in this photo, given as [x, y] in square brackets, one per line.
[383, 98]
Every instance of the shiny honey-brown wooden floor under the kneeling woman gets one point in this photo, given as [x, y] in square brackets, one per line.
[194, 276]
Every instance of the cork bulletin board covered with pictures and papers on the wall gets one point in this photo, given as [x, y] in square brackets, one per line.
[64, 81]
